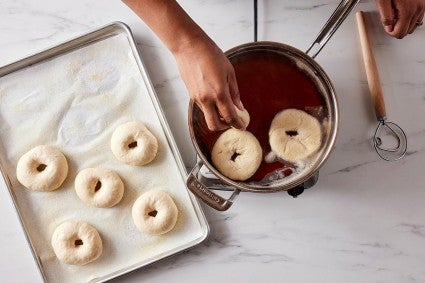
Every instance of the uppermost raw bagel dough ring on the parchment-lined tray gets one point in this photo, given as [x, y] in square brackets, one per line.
[132, 143]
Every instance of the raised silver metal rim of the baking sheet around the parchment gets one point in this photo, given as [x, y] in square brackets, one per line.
[96, 35]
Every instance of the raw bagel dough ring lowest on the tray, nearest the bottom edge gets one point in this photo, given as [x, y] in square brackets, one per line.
[76, 243]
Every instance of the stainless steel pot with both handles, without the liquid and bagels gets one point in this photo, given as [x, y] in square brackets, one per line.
[305, 62]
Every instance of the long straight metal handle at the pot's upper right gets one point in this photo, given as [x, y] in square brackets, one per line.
[338, 16]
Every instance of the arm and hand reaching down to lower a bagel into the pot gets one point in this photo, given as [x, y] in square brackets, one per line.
[206, 71]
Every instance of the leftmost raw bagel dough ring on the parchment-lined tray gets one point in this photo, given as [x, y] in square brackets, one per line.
[43, 168]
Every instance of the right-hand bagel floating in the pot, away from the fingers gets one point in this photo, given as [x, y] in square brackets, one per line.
[294, 134]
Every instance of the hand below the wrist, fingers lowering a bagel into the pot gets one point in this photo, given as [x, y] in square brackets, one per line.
[211, 82]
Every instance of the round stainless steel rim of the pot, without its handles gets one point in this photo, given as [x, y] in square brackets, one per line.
[333, 114]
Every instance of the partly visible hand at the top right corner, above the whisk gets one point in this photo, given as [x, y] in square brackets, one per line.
[401, 17]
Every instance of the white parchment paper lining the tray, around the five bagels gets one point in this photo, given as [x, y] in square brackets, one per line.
[75, 102]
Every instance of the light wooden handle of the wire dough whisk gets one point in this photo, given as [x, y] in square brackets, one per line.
[371, 69]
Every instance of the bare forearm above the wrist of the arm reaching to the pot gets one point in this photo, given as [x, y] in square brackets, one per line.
[169, 22]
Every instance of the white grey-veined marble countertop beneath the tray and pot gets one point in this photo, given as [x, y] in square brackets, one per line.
[364, 221]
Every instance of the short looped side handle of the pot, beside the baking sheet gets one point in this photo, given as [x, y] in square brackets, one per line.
[200, 190]
